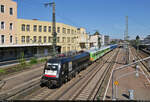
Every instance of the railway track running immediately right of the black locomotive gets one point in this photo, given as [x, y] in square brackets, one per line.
[45, 93]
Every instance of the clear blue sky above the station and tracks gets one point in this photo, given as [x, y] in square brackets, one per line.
[106, 16]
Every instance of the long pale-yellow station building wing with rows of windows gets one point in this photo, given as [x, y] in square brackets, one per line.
[35, 32]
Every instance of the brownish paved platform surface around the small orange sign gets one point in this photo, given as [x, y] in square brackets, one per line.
[140, 84]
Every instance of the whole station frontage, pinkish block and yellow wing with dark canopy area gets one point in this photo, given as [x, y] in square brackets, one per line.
[34, 37]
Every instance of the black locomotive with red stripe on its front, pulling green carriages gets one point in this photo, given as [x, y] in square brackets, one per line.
[59, 70]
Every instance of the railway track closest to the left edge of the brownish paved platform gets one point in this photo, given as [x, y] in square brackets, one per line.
[93, 92]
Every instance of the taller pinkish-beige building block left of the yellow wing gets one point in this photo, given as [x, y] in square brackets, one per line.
[8, 20]
